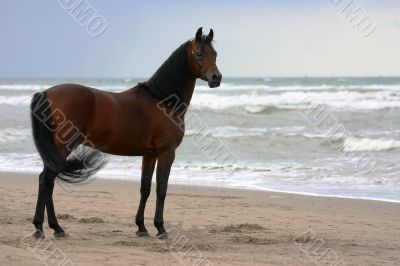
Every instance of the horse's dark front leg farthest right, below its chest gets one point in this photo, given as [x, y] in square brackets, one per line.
[164, 164]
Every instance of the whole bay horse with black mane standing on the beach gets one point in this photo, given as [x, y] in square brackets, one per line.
[130, 123]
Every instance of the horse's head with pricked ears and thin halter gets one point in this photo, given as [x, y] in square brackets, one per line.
[204, 57]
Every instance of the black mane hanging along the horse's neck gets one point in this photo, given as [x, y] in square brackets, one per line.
[172, 77]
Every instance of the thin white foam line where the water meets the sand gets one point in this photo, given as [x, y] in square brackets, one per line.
[257, 189]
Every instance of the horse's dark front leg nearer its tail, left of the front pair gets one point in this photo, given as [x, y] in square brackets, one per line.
[148, 164]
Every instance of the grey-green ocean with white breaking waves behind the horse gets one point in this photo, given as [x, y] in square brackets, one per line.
[317, 136]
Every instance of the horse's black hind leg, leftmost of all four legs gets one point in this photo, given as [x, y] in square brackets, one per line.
[45, 179]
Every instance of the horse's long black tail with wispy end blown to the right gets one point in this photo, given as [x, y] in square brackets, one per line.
[81, 164]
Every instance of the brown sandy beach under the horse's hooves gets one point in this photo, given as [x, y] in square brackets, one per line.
[208, 226]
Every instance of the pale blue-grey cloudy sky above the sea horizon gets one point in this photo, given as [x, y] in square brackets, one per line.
[42, 39]
